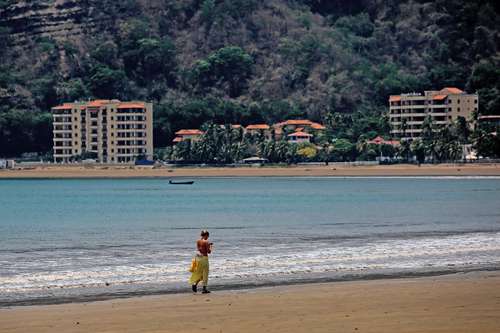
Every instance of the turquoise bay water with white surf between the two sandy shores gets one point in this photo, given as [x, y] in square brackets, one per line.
[78, 239]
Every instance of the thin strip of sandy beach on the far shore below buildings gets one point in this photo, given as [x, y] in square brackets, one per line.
[96, 171]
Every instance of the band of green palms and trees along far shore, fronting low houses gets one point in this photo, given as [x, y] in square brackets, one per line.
[225, 144]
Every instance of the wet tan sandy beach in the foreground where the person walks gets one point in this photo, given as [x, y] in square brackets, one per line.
[454, 303]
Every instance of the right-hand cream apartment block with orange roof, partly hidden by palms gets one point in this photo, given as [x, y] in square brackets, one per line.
[407, 112]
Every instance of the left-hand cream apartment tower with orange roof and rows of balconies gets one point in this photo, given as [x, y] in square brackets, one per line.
[110, 130]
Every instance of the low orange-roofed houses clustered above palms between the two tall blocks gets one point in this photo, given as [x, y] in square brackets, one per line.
[294, 131]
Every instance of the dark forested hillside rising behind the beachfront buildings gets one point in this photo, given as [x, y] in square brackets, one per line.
[239, 61]
